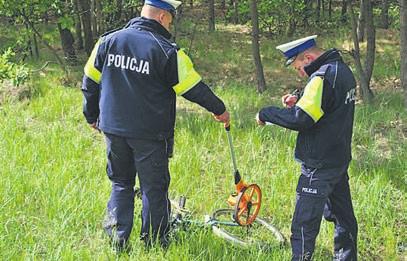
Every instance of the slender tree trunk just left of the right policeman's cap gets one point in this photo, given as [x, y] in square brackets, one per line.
[261, 83]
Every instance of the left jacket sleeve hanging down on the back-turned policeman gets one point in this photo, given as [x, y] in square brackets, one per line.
[90, 84]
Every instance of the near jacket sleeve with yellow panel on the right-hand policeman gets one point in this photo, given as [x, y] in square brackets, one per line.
[308, 110]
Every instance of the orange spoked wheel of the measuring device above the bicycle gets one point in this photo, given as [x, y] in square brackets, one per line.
[247, 205]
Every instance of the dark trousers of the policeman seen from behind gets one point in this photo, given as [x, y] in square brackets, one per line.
[127, 157]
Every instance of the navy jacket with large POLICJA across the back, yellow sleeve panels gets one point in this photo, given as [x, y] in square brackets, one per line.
[132, 79]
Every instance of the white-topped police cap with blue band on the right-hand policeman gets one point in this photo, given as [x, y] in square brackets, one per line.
[292, 49]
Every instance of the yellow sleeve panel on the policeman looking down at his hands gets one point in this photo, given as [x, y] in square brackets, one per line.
[311, 101]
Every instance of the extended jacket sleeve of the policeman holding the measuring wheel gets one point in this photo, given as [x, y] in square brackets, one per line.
[186, 82]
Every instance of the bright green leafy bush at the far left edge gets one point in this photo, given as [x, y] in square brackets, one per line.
[17, 73]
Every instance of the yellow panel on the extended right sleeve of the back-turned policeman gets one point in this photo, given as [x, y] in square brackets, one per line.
[187, 76]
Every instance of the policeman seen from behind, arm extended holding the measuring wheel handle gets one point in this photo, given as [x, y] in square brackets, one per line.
[130, 86]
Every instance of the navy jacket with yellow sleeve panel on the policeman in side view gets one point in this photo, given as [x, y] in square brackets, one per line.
[323, 115]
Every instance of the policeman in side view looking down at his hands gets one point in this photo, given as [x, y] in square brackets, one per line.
[323, 117]
